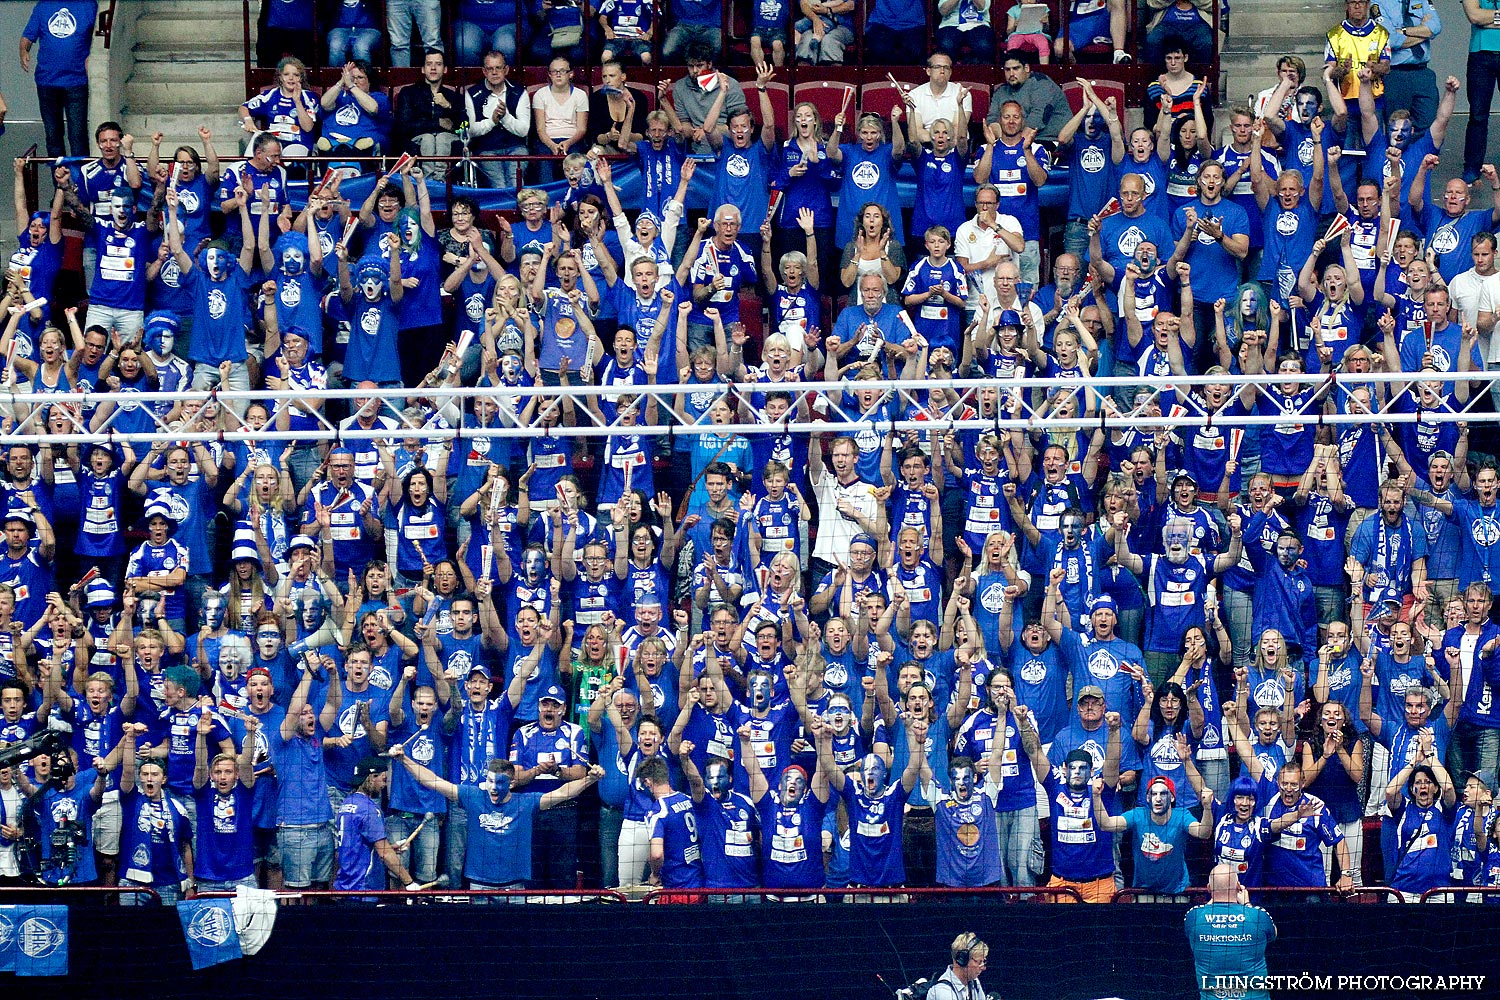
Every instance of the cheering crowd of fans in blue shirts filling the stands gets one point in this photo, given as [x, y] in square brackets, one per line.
[854, 657]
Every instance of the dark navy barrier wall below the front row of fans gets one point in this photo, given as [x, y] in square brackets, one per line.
[752, 953]
